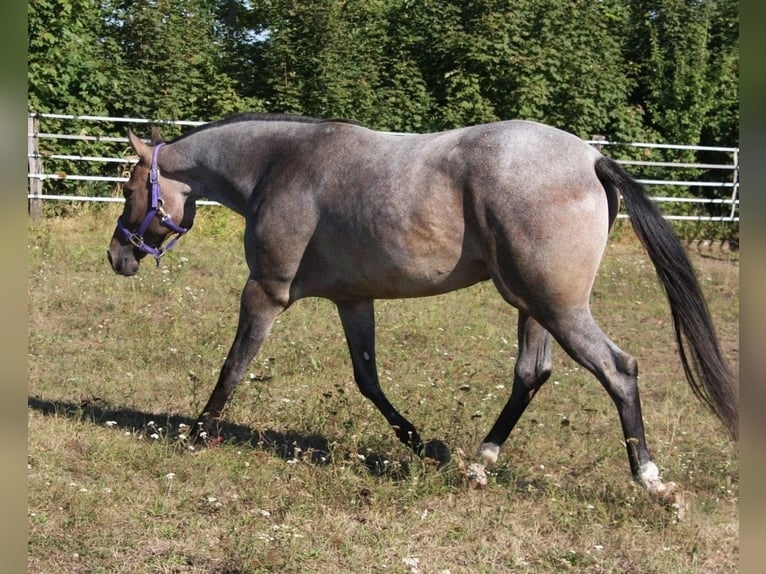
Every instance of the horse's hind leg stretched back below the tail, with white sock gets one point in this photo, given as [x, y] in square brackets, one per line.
[617, 371]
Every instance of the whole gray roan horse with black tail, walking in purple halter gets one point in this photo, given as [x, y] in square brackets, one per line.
[339, 211]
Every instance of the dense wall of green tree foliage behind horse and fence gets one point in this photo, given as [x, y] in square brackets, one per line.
[628, 70]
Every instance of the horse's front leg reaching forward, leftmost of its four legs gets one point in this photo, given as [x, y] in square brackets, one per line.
[258, 310]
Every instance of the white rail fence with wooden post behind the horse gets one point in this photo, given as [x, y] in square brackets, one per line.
[700, 184]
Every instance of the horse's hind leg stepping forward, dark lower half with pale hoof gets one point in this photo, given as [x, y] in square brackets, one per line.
[533, 367]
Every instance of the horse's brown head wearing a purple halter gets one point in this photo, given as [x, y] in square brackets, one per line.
[156, 206]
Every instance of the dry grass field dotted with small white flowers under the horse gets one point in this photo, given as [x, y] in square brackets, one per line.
[310, 478]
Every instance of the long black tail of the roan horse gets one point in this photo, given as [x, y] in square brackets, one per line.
[707, 372]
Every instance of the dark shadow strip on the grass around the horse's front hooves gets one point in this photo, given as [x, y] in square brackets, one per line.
[310, 447]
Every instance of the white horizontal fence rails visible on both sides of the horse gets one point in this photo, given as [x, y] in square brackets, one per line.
[727, 196]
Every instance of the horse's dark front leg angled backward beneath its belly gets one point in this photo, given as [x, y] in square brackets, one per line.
[358, 319]
